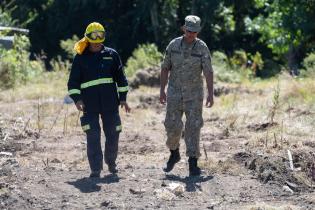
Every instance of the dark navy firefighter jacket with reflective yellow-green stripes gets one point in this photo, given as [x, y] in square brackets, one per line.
[98, 79]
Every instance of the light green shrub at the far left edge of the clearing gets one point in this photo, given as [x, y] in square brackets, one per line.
[15, 66]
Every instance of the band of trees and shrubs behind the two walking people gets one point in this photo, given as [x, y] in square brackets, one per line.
[247, 38]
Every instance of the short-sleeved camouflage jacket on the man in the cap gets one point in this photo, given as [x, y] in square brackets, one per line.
[186, 63]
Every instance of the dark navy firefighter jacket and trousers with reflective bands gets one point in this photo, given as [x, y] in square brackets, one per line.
[98, 79]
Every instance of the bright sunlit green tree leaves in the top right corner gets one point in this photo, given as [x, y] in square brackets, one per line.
[286, 24]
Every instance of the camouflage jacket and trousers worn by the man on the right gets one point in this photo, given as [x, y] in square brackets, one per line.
[186, 62]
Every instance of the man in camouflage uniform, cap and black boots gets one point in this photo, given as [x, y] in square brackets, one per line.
[185, 59]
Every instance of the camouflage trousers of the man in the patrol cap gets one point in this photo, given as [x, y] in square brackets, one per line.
[174, 125]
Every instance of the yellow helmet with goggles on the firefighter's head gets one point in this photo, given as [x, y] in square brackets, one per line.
[95, 33]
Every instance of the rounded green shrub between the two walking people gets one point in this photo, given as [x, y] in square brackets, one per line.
[145, 55]
